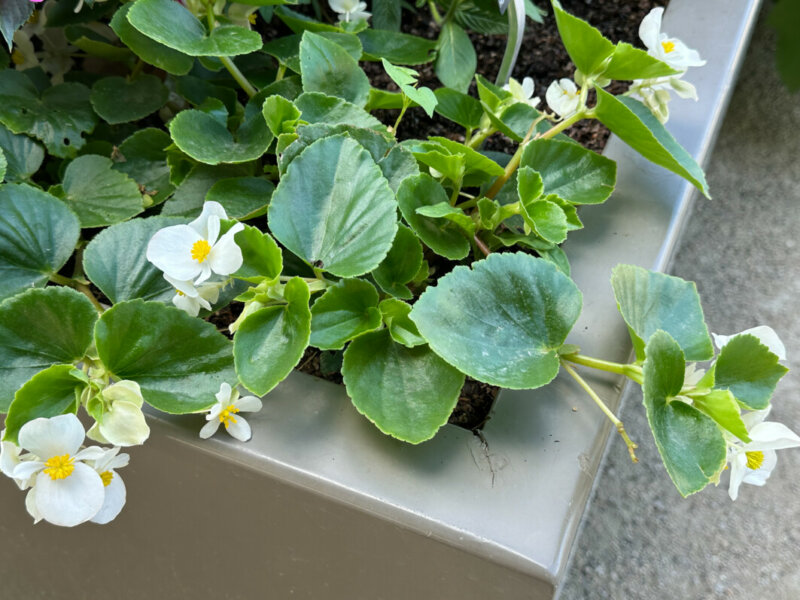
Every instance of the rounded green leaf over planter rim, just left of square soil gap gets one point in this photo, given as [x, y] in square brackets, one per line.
[407, 393]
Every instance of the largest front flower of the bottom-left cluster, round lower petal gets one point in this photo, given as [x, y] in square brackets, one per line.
[66, 491]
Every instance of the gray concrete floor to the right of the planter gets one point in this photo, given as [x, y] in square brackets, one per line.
[640, 540]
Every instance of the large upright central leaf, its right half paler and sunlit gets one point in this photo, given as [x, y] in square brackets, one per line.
[334, 208]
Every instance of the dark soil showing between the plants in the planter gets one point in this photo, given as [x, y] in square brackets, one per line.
[541, 57]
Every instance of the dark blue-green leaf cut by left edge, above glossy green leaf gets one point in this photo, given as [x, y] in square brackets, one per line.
[37, 236]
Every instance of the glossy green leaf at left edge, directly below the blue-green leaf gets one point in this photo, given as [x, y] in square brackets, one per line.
[39, 328]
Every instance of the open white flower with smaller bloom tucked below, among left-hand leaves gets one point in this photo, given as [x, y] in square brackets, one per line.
[190, 254]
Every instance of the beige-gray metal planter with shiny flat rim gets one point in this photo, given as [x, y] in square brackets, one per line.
[320, 505]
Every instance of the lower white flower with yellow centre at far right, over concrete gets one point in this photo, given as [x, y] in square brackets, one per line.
[753, 462]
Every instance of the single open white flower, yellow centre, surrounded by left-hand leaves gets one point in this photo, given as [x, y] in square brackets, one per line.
[195, 251]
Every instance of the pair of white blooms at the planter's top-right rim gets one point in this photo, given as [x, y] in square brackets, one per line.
[655, 93]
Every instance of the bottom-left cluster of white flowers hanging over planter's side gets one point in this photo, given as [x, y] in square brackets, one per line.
[66, 485]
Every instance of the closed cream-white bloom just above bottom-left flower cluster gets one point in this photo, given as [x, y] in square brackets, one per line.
[122, 423]
